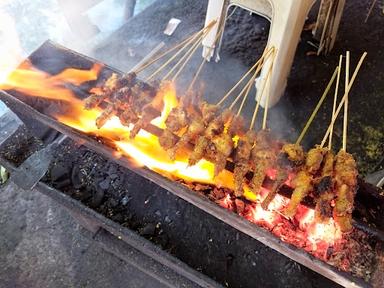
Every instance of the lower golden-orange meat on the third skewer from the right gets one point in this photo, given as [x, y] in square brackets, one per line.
[303, 185]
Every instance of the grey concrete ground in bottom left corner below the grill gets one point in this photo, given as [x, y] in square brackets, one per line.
[42, 246]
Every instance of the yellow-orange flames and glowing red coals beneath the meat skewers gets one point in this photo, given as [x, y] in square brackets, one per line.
[144, 150]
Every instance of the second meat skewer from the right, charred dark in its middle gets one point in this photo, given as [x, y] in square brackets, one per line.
[324, 189]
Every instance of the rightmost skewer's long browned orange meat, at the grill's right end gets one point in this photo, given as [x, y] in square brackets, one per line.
[346, 182]
